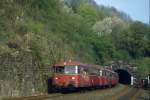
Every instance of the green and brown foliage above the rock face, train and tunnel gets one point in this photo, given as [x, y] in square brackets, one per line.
[88, 32]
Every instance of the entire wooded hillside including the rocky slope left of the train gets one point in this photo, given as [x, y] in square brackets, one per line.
[35, 33]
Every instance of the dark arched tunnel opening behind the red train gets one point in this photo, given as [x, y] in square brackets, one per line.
[124, 76]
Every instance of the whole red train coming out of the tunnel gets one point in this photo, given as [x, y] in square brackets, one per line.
[74, 75]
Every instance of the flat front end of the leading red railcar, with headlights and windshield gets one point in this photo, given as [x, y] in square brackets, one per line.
[65, 77]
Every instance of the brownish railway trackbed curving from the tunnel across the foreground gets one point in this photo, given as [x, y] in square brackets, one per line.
[120, 92]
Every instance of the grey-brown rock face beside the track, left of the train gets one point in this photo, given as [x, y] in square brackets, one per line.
[20, 75]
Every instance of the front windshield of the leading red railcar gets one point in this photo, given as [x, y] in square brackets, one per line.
[66, 70]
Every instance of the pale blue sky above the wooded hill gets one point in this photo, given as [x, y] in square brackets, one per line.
[136, 9]
